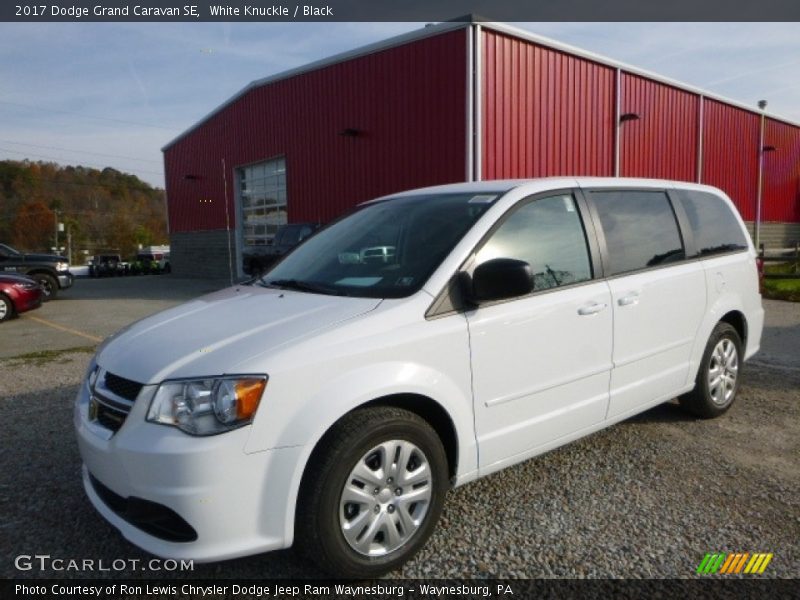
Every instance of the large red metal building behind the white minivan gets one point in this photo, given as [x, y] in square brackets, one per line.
[453, 102]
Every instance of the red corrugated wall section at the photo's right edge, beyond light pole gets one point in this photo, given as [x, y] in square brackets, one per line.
[781, 194]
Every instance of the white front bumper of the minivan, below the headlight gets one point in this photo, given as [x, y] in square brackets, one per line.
[235, 503]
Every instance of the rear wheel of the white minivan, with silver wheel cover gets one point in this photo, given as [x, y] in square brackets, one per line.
[723, 354]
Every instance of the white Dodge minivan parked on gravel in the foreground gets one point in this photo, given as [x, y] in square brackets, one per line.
[422, 341]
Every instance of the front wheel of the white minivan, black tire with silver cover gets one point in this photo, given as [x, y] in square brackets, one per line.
[372, 492]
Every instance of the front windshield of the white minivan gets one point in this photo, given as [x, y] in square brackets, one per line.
[383, 250]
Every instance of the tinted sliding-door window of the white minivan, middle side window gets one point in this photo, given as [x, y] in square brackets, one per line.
[640, 229]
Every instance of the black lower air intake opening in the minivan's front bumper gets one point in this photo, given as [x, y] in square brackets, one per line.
[153, 518]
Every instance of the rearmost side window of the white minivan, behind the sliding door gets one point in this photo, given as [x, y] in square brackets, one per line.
[714, 226]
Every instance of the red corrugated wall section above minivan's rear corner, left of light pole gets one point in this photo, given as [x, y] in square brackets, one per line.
[730, 153]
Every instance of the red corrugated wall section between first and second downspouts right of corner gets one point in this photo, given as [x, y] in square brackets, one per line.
[662, 142]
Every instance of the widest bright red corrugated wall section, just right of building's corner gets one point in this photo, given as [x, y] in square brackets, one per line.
[544, 112]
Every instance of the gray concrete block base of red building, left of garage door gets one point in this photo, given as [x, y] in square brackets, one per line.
[203, 254]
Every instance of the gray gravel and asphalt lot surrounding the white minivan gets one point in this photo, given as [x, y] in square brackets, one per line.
[646, 498]
